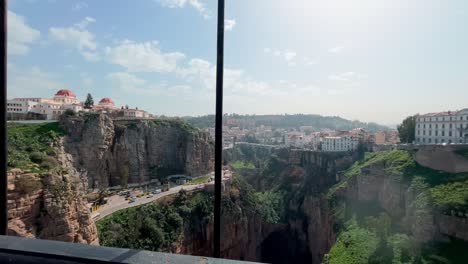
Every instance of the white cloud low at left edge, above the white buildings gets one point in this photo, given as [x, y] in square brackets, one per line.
[21, 81]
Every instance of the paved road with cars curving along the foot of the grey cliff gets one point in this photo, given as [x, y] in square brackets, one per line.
[116, 202]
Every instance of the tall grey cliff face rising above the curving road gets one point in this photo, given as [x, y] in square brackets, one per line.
[111, 152]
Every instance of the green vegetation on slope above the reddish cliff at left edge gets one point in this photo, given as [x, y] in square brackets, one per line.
[30, 146]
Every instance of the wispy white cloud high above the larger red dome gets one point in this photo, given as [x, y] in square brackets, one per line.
[78, 38]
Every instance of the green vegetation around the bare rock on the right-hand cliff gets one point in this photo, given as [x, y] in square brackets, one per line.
[366, 234]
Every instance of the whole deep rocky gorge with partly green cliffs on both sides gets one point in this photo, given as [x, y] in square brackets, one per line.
[283, 206]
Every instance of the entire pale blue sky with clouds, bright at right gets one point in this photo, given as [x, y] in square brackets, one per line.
[371, 60]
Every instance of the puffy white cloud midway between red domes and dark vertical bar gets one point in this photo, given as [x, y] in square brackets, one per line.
[143, 57]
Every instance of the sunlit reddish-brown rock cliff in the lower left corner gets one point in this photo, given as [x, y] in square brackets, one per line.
[48, 207]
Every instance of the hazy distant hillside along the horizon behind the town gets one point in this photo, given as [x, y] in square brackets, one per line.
[285, 121]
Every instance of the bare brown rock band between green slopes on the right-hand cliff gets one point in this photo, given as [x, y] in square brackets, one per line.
[398, 199]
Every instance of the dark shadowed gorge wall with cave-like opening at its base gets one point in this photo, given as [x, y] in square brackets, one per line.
[305, 236]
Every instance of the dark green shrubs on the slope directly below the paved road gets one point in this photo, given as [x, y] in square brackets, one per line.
[156, 227]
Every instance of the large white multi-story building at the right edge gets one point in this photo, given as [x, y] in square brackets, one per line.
[443, 127]
